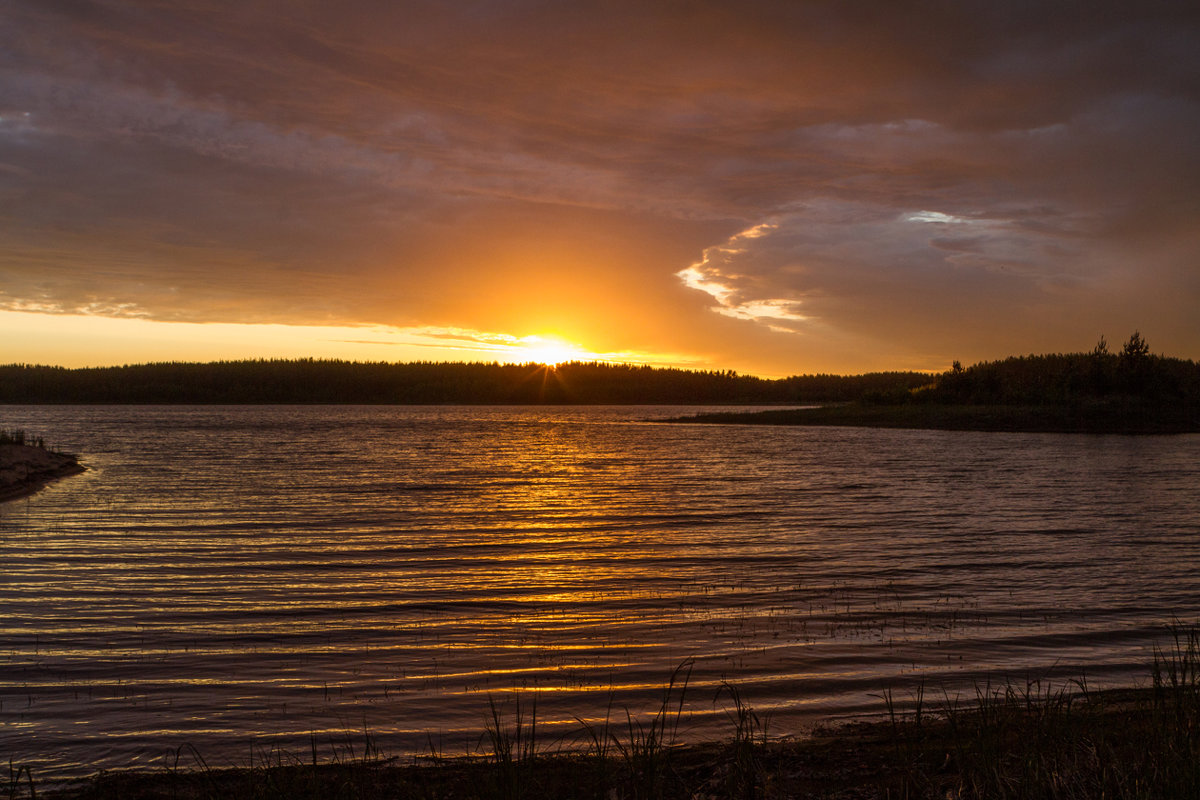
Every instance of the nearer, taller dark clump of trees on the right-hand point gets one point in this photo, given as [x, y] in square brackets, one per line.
[1132, 376]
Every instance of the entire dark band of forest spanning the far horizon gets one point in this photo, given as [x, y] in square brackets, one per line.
[1131, 377]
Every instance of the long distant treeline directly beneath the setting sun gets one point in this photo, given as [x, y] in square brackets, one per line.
[310, 381]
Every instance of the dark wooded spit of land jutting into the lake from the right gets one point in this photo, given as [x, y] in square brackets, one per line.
[1126, 393]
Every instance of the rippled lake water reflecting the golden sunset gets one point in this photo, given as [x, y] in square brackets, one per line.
[254, 579]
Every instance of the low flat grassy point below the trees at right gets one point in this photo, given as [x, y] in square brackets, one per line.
[1100, 419]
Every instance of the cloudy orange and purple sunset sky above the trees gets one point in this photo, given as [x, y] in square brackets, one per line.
[776, 188]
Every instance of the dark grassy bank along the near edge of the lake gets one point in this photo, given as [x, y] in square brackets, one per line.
[1025, 741]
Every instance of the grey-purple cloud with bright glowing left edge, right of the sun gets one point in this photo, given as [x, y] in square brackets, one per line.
[874, 273]
